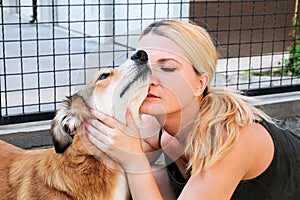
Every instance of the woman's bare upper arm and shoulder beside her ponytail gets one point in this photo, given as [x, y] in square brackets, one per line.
[226, 173]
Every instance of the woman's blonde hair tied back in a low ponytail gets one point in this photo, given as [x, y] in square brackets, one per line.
[222, 112]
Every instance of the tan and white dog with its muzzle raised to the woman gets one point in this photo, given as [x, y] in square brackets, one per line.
[74, 168]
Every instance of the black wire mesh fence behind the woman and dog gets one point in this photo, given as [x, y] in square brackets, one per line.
[50, 48]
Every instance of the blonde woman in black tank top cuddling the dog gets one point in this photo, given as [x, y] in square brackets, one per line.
[215, 145]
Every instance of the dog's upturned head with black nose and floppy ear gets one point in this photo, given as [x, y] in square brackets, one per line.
[111, 91]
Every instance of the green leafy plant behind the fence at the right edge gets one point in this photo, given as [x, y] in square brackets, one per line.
[292, 64]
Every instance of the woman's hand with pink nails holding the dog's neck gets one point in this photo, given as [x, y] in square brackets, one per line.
[122, 142]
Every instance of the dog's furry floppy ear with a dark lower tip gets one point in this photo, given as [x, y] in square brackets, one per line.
[61, 131]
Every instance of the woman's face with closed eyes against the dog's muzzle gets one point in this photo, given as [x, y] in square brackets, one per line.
[174, 84]
